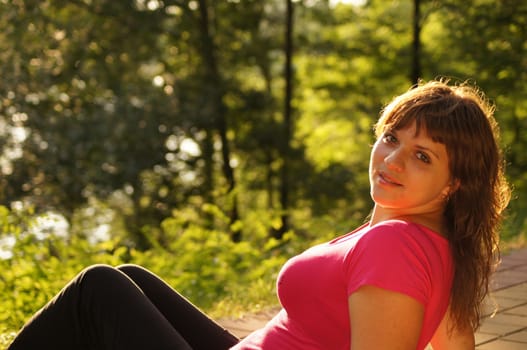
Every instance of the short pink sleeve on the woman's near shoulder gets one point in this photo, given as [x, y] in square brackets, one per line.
[390, 256]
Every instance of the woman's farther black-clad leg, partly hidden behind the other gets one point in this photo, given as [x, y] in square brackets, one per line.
[195, 327]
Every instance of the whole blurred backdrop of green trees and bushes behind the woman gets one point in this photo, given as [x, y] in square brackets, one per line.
[210, 140]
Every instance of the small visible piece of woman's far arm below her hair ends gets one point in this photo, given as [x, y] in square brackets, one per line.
[456, 339]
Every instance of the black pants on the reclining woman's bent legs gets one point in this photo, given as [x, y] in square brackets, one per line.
[126, 307]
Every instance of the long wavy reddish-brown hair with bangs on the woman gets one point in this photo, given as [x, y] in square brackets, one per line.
[460, 117]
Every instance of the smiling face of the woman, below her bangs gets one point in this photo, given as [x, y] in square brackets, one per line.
[409, 173]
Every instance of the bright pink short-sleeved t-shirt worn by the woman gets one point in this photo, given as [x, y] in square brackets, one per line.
[314, 287]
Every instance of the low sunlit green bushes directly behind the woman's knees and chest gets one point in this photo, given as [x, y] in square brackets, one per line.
[220, 276]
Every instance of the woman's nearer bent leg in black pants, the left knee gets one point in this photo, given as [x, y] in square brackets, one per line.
[102, 308]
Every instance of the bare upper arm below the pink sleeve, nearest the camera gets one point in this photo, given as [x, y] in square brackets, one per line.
[382, 319]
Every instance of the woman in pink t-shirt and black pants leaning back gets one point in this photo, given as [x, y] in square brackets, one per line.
[416, 273]
